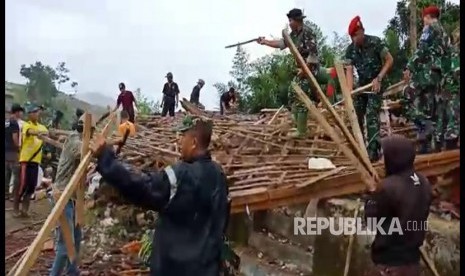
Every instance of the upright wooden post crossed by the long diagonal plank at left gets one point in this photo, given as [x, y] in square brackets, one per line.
[81, 188]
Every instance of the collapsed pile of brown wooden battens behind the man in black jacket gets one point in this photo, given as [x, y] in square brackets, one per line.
[254, 150]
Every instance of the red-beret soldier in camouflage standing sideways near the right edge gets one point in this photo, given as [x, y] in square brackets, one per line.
[425, 72]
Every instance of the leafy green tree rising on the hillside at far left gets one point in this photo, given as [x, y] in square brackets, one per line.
[40, 86]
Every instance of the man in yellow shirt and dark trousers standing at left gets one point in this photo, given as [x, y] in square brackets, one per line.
[30, 158]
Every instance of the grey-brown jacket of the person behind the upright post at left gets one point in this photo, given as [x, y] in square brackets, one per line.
[69, 160]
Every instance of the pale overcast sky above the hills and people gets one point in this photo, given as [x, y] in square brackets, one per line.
[105, 42]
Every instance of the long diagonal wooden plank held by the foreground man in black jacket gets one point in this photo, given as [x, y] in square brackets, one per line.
[35, 248]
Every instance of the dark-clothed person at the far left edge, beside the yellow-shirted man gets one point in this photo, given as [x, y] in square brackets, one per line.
[12, 146]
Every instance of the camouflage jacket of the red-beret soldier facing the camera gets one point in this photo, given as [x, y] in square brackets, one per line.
[367, 59]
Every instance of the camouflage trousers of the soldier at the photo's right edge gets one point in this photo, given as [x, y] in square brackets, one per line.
[448, 118]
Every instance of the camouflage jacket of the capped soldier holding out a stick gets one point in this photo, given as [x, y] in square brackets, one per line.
[305, 42]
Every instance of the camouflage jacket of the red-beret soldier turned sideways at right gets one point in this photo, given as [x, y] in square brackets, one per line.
[431, 58]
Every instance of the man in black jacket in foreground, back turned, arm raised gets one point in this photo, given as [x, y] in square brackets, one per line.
[191, 197]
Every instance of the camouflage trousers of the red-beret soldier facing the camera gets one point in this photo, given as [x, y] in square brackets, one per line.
[368, 107]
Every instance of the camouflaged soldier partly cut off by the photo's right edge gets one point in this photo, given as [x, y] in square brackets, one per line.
[448, 122]
